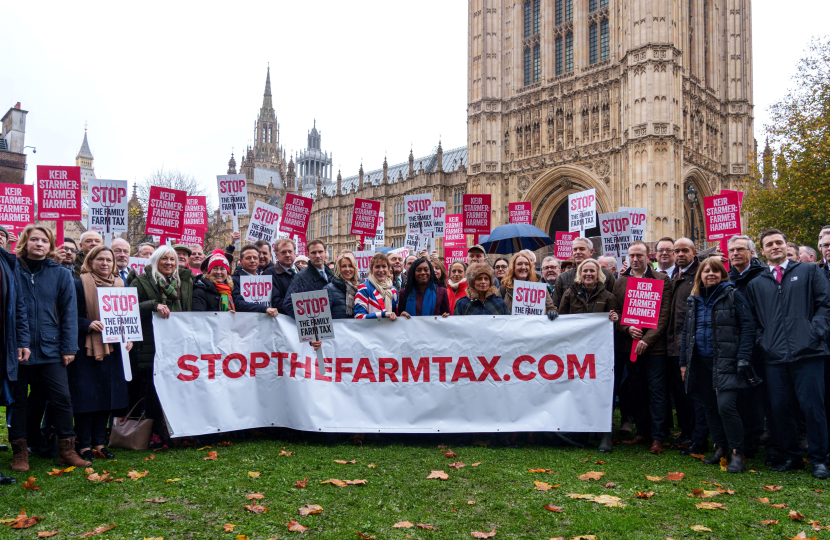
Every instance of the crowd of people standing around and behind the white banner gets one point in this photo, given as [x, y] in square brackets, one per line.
[739, 354]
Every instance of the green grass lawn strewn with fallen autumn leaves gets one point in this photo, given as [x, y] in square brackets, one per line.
[211, 493]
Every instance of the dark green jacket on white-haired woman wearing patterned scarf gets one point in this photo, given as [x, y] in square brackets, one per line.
[143, 352]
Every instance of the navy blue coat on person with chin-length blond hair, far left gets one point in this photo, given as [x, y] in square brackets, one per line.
[49, 294]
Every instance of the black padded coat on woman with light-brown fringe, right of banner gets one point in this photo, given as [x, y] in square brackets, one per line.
[732, 336]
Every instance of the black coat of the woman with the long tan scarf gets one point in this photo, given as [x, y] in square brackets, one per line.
[94, 385]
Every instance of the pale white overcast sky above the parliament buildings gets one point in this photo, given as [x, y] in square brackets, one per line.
[167, 85]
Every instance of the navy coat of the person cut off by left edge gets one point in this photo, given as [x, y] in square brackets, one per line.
[15, 323]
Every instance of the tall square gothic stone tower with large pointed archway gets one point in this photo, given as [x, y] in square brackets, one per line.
[636, 98]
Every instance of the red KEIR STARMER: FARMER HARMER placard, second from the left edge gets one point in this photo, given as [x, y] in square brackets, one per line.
[58, 193]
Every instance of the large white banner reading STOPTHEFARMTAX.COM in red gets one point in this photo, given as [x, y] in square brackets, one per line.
[218, 372]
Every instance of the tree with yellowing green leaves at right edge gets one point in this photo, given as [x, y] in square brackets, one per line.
[792, 191]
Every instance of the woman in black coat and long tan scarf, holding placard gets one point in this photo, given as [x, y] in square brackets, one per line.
[96, 377]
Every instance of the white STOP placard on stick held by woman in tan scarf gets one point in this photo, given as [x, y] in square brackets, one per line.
[118, 311]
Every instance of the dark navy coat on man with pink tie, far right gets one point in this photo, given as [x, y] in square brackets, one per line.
[791, 318]
